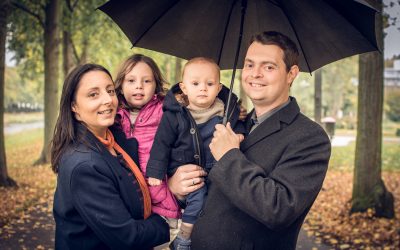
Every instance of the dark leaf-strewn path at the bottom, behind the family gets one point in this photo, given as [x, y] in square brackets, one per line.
[35, 230]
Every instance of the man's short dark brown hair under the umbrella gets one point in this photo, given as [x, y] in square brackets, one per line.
[291, 54]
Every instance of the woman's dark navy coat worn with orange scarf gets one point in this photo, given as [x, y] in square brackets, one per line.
[96, 203]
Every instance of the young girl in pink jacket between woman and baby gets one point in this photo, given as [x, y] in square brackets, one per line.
[140, 88]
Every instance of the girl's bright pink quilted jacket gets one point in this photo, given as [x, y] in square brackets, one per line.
[144, 130]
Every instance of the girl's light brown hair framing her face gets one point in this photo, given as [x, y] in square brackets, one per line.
[128, 65]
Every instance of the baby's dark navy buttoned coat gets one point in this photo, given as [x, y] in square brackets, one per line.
[178, 141]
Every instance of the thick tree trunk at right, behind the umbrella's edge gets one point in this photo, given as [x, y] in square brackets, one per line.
[369, 191]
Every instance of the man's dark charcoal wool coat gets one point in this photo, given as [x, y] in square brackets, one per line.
[259, 195]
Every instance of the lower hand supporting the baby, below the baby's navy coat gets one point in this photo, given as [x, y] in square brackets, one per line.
[187, 178]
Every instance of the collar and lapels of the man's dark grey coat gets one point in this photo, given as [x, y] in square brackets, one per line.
[271, 125]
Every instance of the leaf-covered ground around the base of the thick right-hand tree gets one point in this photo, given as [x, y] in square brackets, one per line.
[329, 219]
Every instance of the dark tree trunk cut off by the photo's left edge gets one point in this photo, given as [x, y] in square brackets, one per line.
[5, 180]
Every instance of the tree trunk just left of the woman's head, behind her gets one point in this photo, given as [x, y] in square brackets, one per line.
[51, 68]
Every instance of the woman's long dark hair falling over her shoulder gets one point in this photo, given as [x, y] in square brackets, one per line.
[68, 130]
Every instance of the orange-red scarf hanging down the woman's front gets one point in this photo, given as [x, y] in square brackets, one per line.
[110, 143]
